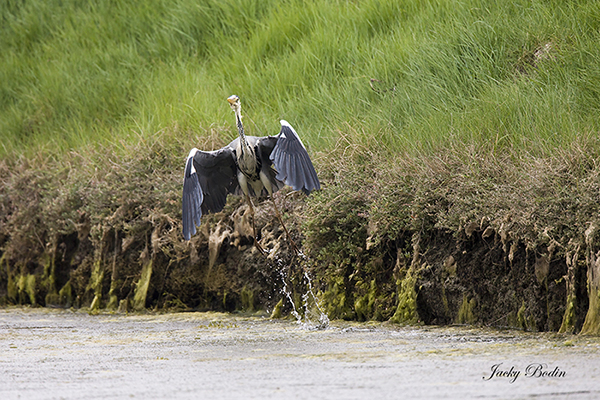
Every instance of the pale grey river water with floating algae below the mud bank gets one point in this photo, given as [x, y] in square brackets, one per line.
[58, 354]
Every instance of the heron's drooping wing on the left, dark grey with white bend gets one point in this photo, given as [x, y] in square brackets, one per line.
[209, 176]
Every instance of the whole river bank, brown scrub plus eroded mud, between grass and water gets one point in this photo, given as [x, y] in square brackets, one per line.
[469, 238]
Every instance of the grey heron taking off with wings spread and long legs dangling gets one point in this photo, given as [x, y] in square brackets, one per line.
[253, 165]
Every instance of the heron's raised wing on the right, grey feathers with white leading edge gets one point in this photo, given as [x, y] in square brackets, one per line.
[292, 161]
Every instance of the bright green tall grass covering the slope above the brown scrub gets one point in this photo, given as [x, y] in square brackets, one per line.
[402, 76]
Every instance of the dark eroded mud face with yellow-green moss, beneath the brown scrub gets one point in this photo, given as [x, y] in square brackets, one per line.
[437, 277]
